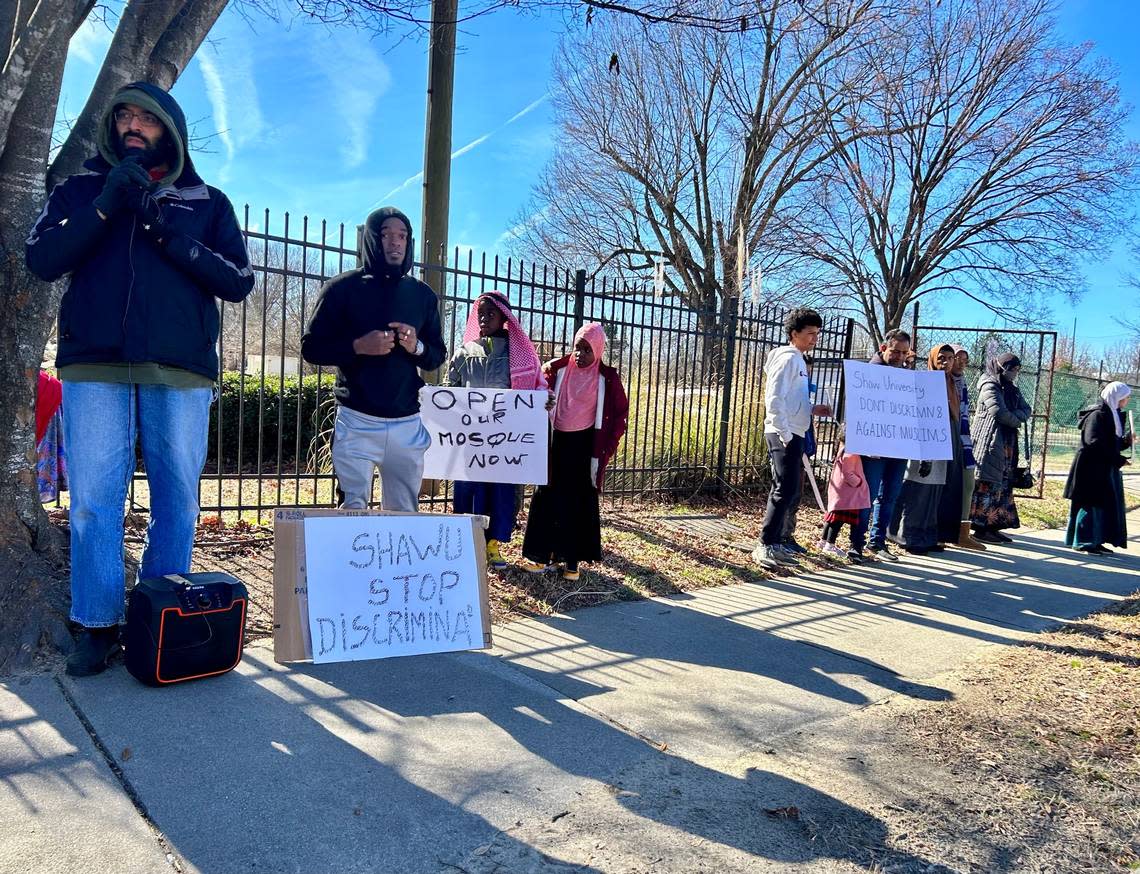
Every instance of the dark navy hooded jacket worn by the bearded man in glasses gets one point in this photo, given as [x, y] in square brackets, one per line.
[129, 299]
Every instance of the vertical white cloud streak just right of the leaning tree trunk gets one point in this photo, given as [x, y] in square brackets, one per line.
[227, 69]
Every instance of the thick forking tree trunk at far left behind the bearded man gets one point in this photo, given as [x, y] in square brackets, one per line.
[154, 40]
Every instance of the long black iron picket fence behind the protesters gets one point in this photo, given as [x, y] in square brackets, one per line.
[695, 380]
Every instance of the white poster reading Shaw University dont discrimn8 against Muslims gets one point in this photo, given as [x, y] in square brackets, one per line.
[897, 413]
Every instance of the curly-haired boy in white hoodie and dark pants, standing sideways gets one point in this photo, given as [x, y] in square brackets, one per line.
[787, 418]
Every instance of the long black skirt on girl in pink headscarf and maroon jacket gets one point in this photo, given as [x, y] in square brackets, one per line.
[564, 524]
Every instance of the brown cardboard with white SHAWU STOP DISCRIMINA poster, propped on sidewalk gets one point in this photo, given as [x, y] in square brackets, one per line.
[372, 585]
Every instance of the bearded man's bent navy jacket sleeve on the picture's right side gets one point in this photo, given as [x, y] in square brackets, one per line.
[222, 265]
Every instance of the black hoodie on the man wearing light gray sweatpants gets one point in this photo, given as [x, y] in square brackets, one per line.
[368, 299]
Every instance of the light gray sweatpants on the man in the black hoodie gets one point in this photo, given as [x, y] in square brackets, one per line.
[397, 447]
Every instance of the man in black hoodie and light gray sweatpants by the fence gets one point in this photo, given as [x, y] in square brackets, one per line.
[379, 328]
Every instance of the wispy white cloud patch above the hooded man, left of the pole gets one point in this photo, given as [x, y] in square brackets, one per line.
[353, 97]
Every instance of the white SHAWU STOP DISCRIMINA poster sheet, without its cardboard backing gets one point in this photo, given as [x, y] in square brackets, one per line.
[386, 586]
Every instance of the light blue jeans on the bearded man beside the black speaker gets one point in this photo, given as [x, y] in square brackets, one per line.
[102, 424]
